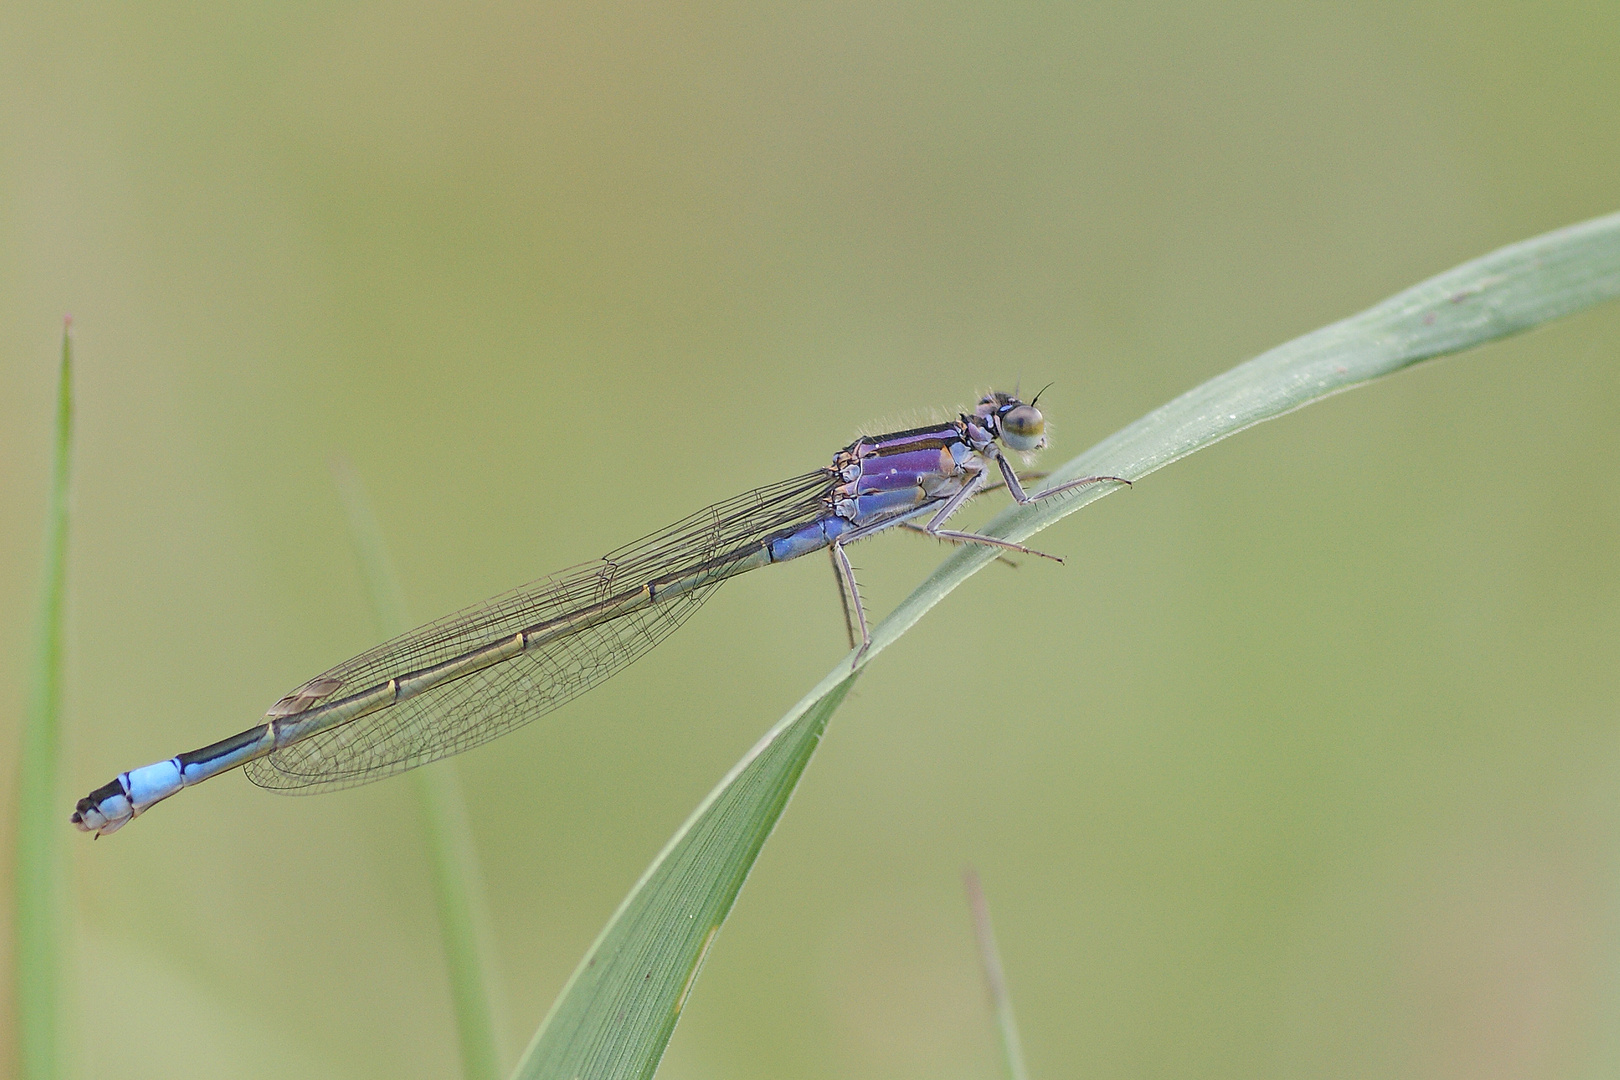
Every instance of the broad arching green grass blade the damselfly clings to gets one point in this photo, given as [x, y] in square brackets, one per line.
[620, 1010]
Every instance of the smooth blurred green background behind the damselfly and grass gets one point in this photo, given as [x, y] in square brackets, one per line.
[1307, 765]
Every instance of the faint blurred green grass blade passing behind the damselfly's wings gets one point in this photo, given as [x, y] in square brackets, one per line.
[458, 880]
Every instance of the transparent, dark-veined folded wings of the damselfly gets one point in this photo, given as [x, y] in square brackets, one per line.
[488, 704]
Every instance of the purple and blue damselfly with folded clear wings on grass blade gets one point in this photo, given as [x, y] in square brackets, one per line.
[480, 673]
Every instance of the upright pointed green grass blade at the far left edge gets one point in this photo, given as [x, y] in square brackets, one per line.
[40, 955]
